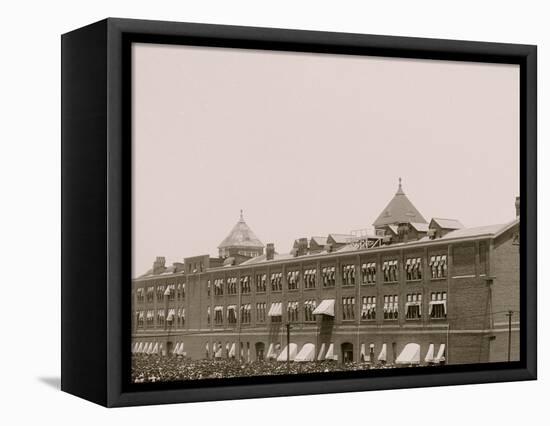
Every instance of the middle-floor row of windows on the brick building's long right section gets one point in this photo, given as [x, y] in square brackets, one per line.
[390, 307]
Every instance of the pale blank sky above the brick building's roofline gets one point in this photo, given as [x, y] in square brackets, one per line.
[312, 144]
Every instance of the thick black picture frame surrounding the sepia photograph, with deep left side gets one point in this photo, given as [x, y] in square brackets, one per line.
[96, 198]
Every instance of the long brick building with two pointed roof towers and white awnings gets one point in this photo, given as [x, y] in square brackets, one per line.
[408, 292]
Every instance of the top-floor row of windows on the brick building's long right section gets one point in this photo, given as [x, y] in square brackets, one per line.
[390, 269]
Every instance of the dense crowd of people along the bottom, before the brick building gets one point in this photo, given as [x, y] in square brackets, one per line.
[154, 368]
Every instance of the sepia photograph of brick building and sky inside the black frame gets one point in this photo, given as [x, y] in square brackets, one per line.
[298, 213]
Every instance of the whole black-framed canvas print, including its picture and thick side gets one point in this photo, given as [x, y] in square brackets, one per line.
[256, 212]
